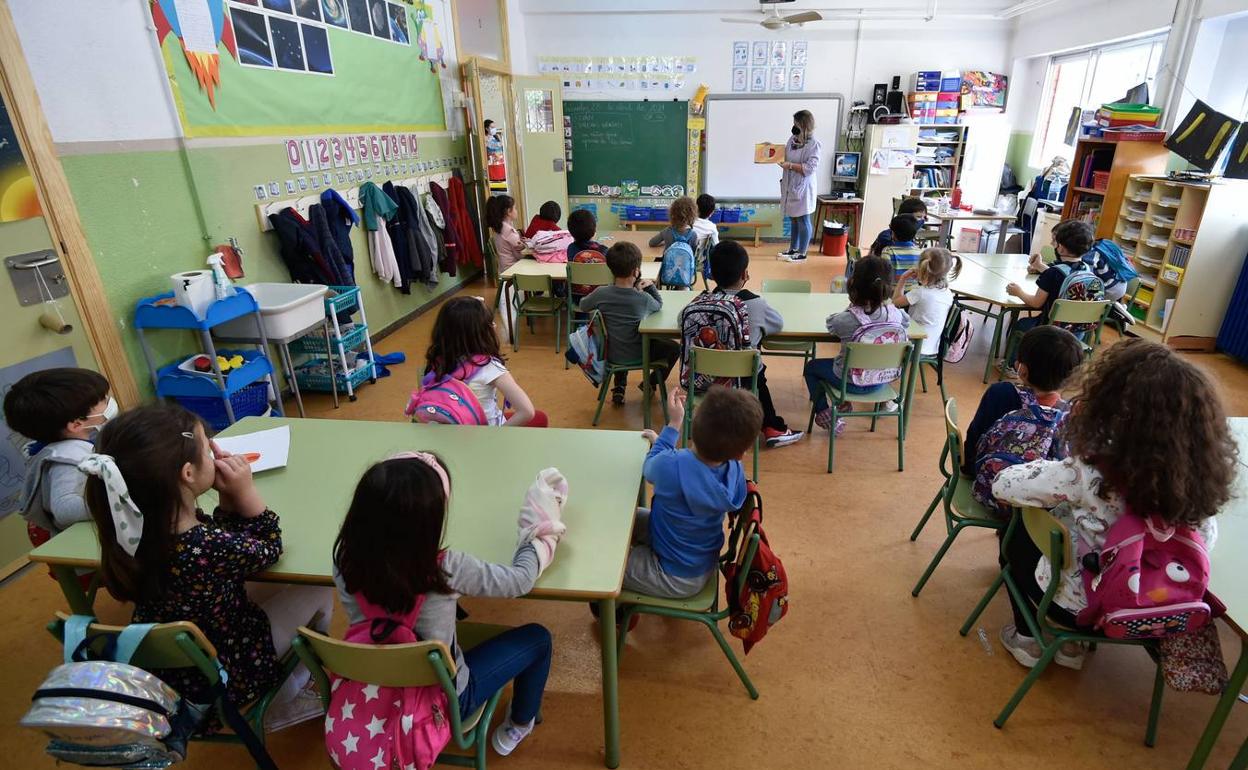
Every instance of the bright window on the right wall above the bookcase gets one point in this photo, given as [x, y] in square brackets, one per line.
[1086, 80]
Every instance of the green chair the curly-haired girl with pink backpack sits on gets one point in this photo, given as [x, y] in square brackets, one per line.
[1054, 542]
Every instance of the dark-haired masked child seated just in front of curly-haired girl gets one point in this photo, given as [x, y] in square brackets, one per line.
[1048, 358]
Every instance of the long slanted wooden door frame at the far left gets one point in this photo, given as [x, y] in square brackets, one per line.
[61, 214]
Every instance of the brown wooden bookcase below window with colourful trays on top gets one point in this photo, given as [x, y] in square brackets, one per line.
[1110, 163]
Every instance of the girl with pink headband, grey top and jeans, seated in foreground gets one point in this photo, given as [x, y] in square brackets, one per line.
[390, 553]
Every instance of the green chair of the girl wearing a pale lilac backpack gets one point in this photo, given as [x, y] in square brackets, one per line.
[870, 356]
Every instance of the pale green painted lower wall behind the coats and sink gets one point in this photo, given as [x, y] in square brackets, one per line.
[140, 220]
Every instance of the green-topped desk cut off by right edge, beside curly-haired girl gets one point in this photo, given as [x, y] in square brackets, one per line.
[1229, 581]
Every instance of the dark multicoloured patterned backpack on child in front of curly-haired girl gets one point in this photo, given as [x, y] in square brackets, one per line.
[1029, 434]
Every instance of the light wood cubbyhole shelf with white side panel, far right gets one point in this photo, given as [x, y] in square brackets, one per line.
[1189, 243]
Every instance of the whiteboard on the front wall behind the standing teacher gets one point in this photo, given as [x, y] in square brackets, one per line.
[736, 124]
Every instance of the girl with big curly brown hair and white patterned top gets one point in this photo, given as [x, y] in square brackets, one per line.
[1140, 407]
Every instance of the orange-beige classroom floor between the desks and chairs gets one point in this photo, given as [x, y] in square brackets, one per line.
[858, 676]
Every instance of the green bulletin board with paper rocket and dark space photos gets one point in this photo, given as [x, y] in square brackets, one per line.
[244, 68]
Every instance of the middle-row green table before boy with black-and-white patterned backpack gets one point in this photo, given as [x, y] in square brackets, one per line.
[806, 320]
